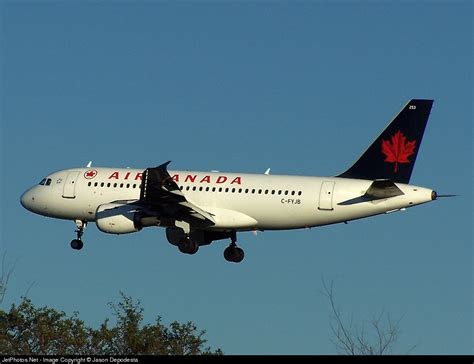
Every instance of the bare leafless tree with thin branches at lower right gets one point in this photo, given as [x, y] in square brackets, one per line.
[351, 339]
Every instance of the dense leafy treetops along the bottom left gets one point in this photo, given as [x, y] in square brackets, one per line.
[27, 329]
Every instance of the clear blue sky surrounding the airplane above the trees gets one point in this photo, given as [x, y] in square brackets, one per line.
[301, 87]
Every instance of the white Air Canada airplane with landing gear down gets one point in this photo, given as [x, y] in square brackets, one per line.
[198, 208]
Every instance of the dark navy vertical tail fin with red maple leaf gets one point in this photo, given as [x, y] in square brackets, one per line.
[392, 155]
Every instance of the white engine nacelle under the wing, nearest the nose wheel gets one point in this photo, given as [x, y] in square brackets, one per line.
[115, 218]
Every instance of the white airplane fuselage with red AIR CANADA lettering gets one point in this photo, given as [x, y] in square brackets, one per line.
[238, 201]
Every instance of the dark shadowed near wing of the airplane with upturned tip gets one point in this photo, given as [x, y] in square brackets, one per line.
[160, 193]
